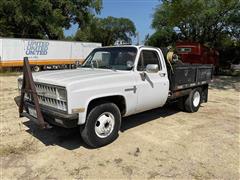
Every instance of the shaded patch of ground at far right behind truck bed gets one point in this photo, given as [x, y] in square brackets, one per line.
[226, 83]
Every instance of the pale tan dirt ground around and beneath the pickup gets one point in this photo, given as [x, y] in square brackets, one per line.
[162, 143]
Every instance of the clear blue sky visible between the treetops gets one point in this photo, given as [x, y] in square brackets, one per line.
[139, 11]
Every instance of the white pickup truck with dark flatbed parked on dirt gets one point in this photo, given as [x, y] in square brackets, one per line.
[112, 83]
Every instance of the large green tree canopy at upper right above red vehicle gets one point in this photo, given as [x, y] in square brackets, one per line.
[204, 21]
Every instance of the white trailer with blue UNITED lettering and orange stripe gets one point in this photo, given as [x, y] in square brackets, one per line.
[43, 52]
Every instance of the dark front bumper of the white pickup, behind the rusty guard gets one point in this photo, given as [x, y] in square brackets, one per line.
[51, 116]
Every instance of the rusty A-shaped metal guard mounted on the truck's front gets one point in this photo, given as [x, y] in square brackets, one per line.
[28, 86]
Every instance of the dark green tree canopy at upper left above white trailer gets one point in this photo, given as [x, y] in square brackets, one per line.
[44, 18]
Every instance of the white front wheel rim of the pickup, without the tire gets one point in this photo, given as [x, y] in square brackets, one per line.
[104, 125]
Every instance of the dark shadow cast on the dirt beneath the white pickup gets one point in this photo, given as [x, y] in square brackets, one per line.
[70, 138]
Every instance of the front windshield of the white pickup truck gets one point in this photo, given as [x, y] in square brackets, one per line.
[117, 58]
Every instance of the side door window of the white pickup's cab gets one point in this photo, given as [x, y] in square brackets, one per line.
[147, 57]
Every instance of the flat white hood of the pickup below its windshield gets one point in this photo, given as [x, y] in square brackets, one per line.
[70, 77]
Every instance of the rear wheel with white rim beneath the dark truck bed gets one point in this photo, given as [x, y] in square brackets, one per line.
[193, 101]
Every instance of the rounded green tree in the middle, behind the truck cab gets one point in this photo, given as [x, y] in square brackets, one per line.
[107, 30]
